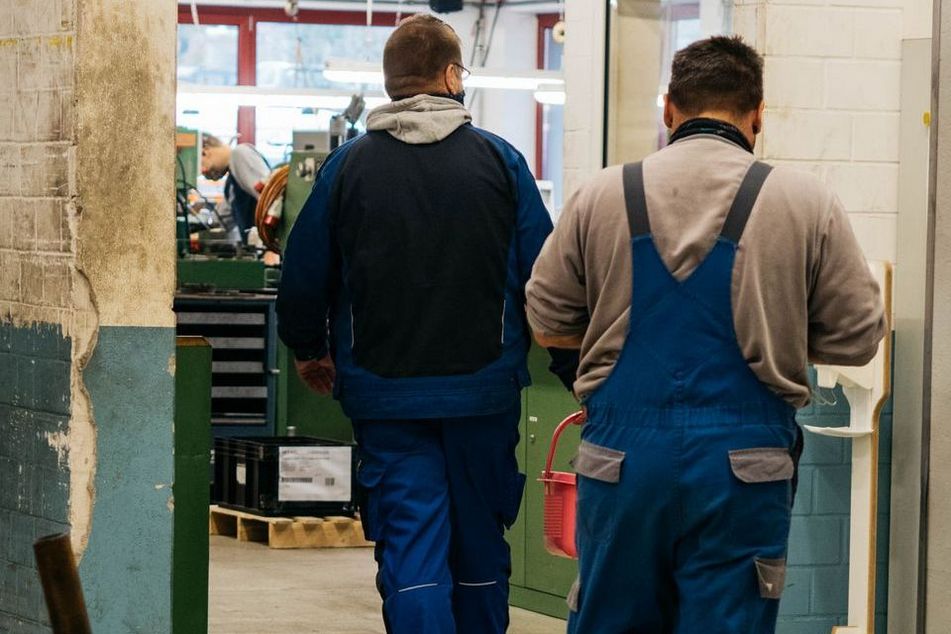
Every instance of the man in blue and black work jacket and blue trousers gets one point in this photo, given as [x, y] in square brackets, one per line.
[403, 293]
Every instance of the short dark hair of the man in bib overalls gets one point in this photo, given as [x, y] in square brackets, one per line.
[719, 73]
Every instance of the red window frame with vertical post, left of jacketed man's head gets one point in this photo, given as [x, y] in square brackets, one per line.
[246, 20]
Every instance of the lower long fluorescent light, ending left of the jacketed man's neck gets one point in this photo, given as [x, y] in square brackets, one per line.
[197, 96]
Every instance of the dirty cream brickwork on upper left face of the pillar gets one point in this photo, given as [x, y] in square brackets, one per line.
[37, 70]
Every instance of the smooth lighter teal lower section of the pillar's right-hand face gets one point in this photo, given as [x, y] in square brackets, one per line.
[126, 569]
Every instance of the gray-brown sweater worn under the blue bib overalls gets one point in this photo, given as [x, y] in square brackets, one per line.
[802, 289]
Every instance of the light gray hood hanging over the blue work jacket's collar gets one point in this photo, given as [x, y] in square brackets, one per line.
[420, 119]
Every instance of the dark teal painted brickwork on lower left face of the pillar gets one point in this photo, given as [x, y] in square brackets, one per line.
[34, 480]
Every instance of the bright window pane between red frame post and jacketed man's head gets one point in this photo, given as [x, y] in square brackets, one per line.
[293, 55]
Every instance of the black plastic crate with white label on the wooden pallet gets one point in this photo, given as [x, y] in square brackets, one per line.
[293, 475]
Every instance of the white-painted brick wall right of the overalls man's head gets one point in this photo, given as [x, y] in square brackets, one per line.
[832, 97]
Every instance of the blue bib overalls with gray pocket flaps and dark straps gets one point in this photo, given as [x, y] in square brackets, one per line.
[687, 460]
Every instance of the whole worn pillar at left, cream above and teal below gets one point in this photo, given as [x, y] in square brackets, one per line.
[86, 282]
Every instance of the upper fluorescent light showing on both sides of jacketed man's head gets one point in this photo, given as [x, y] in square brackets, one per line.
[354, 72]
